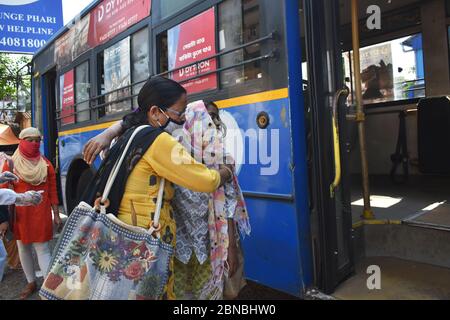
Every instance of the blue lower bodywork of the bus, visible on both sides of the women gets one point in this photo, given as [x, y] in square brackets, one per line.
[272, 256]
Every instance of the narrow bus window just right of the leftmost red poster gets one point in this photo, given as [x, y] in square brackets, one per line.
[82, 92]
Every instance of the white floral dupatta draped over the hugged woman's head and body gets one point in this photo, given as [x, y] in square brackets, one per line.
[206, 144]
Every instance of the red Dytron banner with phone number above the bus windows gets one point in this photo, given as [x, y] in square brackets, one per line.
[112, 17]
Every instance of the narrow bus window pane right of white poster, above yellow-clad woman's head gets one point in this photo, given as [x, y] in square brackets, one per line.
[140, 61]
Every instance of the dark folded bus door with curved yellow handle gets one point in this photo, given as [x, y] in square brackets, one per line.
[331, 220]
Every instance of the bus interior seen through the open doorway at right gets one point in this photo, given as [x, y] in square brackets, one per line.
[405, 78]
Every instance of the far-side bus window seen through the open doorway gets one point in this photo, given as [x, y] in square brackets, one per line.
[390, 71]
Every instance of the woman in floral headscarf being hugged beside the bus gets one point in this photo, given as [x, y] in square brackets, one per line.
[207, 223]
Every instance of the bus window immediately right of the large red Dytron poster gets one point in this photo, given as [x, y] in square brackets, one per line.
[239, 24]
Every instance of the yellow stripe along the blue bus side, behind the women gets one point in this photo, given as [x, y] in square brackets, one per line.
[223, 104]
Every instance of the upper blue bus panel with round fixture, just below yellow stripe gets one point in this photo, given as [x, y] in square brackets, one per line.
[272, 174]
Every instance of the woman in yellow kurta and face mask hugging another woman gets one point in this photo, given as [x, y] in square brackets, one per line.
[154, 154]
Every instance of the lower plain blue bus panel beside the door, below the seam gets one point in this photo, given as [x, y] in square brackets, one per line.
[271, 251]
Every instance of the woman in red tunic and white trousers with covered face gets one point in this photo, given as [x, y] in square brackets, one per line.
[33, 227]
